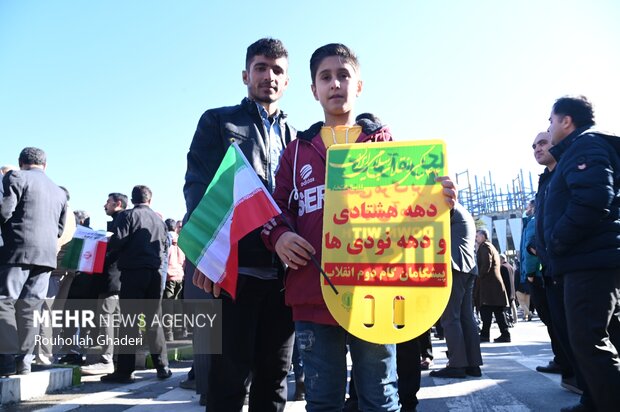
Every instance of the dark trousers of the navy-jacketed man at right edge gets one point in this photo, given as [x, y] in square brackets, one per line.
[592, 303]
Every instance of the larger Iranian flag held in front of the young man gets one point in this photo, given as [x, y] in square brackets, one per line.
[235, 203]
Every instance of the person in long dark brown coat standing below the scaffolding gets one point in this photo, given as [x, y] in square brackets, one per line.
[493, 297]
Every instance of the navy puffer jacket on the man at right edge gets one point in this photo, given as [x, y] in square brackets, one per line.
[582, 205]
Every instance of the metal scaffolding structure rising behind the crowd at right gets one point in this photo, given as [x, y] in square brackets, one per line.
[484, 197]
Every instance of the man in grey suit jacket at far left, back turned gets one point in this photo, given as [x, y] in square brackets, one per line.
[32, 218]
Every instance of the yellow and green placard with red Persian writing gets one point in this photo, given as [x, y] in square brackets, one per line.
[386, 238]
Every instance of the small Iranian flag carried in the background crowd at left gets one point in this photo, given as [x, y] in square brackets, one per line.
[86, 251]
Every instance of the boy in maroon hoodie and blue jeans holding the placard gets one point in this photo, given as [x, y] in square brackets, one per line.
[336, 84]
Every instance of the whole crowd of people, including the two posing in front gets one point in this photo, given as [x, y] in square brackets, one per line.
[569, 262]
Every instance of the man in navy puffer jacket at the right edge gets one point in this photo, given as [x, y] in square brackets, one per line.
[581, 234]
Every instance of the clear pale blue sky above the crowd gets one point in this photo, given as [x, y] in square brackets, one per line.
[113, 90]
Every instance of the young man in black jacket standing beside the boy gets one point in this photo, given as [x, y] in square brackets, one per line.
[257, 328]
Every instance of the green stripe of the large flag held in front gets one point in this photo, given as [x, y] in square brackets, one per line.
[212, 211]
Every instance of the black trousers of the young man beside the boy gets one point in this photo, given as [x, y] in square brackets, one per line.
[257, 339]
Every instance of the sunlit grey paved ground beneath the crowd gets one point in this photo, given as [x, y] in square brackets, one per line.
[509, 383]
